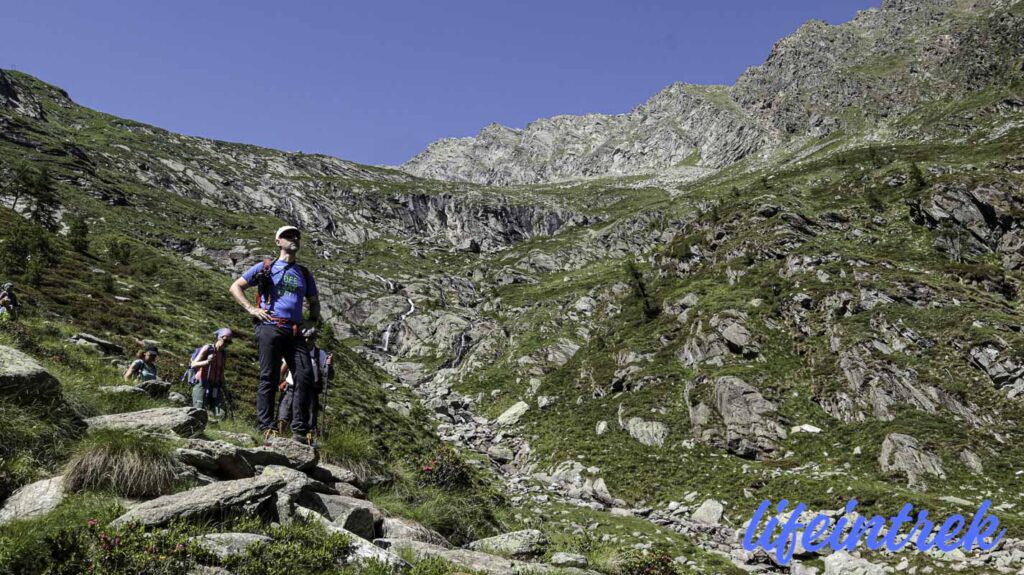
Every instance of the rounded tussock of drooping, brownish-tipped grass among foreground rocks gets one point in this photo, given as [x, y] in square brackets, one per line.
[130, 465]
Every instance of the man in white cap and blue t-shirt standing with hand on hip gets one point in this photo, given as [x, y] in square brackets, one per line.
[282, 286]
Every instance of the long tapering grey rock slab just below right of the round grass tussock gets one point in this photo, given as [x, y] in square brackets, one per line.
[212, 500]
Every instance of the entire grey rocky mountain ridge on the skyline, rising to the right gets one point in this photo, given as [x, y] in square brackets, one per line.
[855, 77]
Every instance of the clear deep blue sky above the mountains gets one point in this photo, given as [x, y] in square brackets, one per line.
[376, 81]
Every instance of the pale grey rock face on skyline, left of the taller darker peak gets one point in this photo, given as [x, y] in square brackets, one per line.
[681, 125]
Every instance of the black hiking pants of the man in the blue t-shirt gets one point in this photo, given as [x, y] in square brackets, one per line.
[275, 344]
